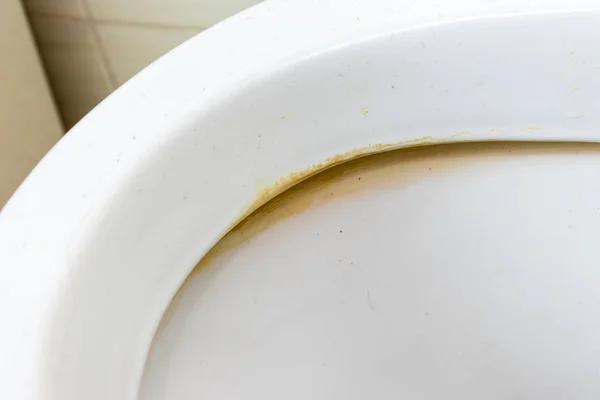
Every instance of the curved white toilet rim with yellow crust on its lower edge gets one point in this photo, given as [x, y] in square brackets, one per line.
[99, 237]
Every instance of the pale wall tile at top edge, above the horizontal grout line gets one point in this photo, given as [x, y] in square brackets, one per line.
[201, 13]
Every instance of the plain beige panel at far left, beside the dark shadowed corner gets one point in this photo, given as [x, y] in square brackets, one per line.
[29, 124]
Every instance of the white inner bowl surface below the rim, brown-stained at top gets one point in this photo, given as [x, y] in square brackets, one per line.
[380, 280]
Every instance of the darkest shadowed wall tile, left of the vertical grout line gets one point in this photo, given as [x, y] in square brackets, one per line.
[74, 64]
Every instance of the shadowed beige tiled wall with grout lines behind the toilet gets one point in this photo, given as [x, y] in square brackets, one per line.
[91, 47]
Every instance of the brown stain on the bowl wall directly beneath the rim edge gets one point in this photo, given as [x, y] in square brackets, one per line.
[376, 172]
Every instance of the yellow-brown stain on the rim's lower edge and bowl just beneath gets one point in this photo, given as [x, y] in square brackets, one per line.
[328, 181]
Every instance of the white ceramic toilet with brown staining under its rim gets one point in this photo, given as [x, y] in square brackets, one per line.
[323, 199]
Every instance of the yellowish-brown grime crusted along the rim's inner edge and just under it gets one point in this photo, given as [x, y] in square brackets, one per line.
[376, 170]
